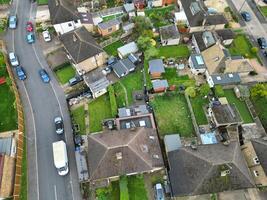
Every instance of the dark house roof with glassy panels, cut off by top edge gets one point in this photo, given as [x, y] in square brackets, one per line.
[195, 12]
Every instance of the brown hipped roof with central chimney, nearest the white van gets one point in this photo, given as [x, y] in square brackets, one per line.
[123, 152]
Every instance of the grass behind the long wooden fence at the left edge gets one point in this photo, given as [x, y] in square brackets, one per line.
[8, 113]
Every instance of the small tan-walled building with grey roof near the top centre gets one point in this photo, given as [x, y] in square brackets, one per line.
[109, 27]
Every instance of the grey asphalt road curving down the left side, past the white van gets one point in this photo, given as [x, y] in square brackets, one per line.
[42, 102]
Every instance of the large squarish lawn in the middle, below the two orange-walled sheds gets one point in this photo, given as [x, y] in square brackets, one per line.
[172, 115]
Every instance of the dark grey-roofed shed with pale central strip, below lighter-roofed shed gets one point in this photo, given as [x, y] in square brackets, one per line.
[123, 67]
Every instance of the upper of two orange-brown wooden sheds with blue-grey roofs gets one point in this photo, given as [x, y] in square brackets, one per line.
[156, 68]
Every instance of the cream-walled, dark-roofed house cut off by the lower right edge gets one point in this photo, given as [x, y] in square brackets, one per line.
[255, 155]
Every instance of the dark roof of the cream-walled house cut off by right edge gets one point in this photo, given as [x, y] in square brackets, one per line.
[260, 147]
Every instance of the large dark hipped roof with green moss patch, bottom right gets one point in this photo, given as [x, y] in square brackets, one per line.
[194, 172]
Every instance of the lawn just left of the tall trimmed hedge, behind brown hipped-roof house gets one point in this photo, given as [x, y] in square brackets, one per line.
[99, 109]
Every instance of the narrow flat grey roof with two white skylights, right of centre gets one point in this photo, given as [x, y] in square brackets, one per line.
[226, 79]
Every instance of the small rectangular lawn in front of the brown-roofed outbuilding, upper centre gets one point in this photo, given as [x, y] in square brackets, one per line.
[176, 51]
